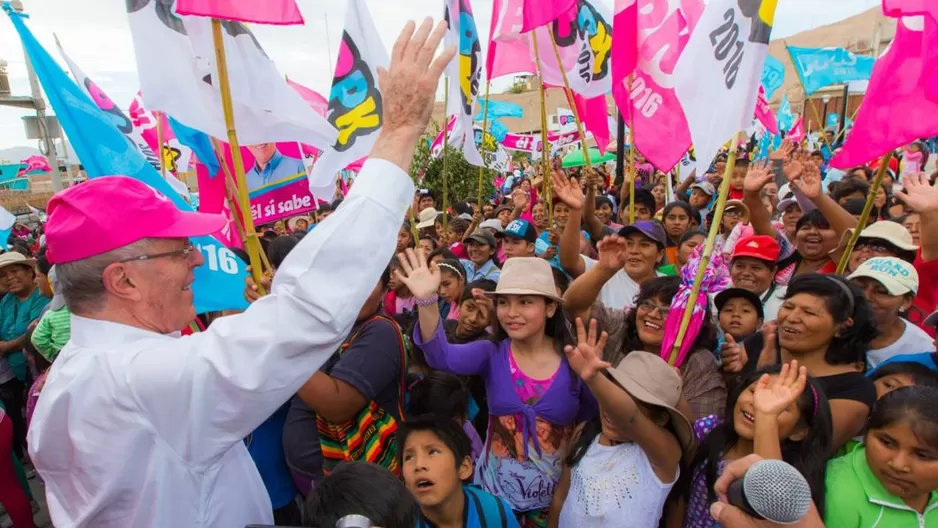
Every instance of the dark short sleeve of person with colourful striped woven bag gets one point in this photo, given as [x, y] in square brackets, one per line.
[373, 361]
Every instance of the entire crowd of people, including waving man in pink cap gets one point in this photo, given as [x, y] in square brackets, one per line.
[507, 368]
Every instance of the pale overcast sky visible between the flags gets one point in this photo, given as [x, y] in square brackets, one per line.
[96, 35]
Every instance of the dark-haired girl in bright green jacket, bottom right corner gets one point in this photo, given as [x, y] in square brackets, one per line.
[892, 480]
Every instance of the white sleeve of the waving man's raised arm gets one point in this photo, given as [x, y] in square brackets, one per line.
[207, 391]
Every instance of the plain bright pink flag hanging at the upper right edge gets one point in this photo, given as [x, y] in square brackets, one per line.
[898, 90]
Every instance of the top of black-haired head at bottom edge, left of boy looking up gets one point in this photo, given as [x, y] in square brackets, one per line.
[360, 488]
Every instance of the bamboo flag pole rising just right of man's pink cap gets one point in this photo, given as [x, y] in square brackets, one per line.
[251, 243]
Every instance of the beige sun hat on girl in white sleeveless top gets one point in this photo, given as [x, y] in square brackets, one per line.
[649, 379]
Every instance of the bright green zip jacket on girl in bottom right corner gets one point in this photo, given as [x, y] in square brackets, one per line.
[856, 498]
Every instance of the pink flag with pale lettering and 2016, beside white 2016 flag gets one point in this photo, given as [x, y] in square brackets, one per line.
[661, 31]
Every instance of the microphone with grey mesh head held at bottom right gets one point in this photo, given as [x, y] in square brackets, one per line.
[772, 490]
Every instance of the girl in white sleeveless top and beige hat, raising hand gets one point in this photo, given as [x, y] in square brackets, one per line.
[624, 464]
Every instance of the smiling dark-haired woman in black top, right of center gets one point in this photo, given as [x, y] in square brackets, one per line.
[827, 325]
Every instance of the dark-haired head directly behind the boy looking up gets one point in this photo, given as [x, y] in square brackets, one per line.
[445, 395]
